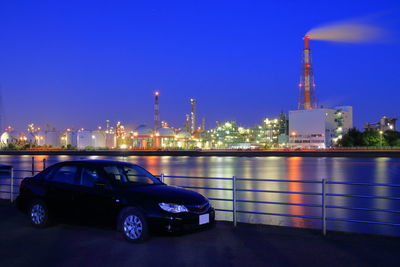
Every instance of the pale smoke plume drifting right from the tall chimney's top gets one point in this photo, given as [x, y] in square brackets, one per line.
[355, 31]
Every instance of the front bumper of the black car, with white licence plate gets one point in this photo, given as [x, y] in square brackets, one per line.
[178, 222]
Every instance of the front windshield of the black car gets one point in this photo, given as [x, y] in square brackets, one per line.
[130, 175]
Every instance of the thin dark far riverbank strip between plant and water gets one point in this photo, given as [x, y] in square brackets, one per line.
[209, 153]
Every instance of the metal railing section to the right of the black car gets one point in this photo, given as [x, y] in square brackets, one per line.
[323, 194]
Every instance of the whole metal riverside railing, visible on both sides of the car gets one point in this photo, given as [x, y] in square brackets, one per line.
[322, 194]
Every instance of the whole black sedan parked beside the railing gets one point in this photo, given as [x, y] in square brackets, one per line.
[123, 193]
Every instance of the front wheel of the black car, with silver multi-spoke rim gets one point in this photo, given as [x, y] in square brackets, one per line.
[133, 225]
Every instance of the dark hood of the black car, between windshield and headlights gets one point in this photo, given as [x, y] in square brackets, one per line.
[166, 194]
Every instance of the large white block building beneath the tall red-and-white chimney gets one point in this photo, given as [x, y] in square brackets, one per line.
[319, 128]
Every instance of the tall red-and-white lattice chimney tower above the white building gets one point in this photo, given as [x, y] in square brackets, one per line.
[307, 98]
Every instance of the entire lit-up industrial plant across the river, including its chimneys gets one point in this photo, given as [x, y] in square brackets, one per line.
[309, 126]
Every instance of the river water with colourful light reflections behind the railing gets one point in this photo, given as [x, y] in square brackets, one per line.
[340, 169]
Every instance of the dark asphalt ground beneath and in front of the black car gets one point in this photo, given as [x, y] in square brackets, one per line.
[246, 245]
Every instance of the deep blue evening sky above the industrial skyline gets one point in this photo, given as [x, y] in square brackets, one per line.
[78, 63]
